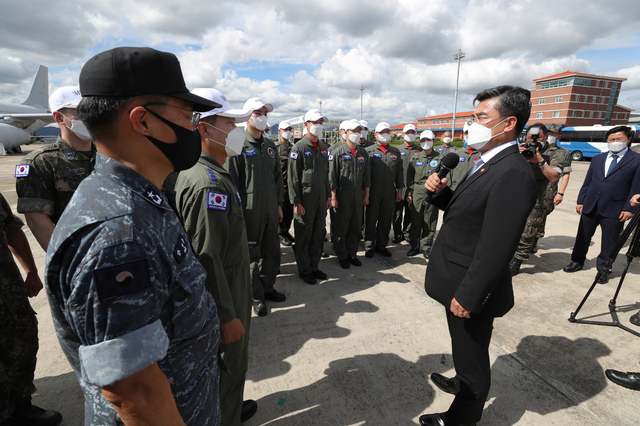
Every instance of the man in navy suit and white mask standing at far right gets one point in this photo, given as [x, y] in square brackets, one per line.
[604, 199]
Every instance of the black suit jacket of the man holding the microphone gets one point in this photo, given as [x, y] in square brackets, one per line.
[483, 221]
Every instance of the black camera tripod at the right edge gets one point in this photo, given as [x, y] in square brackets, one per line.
[634, 251]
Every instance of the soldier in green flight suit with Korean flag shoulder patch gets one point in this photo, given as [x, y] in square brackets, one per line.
[211, 211]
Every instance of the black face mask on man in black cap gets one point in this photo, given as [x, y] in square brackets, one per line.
[185, 152]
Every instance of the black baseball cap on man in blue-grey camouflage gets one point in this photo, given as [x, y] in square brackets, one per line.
[135, 71]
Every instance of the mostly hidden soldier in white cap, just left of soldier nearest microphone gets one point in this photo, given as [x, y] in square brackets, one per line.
[402, 215]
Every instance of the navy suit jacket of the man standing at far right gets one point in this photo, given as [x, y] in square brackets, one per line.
[611, 194]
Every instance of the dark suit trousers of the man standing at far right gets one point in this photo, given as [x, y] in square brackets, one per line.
[611, 228]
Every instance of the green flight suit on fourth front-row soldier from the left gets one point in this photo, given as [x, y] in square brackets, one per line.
[349, 175]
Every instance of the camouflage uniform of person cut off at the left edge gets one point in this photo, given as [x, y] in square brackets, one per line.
[18, 324]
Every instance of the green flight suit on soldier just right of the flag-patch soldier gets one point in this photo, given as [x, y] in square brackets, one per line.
[257, 176]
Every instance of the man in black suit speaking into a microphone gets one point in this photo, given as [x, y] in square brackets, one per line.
[468, 270]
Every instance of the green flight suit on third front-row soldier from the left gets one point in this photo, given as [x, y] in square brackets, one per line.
[309, 185]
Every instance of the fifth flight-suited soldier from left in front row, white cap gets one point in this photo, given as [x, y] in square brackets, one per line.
[387, 183]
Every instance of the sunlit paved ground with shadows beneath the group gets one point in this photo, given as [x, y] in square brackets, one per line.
[358, 348]
